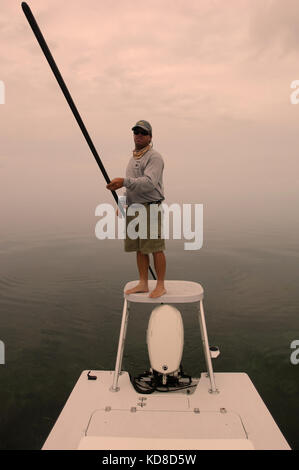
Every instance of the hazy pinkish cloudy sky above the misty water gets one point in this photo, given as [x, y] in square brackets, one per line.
[212, 77]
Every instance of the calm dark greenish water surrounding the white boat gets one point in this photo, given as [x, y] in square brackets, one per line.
[61, 304]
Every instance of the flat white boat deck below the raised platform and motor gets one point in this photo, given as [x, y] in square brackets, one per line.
[95, 417]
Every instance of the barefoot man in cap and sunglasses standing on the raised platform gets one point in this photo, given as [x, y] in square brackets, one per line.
[144, 185]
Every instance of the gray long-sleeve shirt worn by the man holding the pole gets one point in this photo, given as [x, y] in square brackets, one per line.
[144, 178]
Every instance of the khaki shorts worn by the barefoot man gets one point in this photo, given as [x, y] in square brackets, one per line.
[146, 245]
